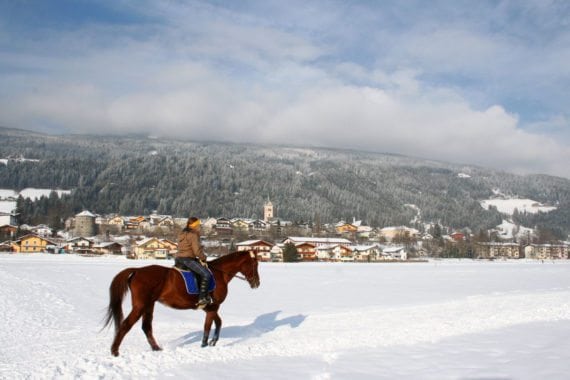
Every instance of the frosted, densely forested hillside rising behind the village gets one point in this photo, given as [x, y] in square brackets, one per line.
[136, 175]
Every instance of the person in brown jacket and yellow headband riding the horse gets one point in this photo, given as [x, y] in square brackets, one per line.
[191, 256]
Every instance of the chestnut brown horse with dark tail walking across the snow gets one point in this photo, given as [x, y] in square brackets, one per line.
[154, 283]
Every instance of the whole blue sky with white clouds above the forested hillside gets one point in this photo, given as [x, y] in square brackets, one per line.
[470, 82]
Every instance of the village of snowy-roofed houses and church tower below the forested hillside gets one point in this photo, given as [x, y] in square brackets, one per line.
[154, 237]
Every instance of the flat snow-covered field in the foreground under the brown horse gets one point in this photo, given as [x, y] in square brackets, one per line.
[436, 320]
